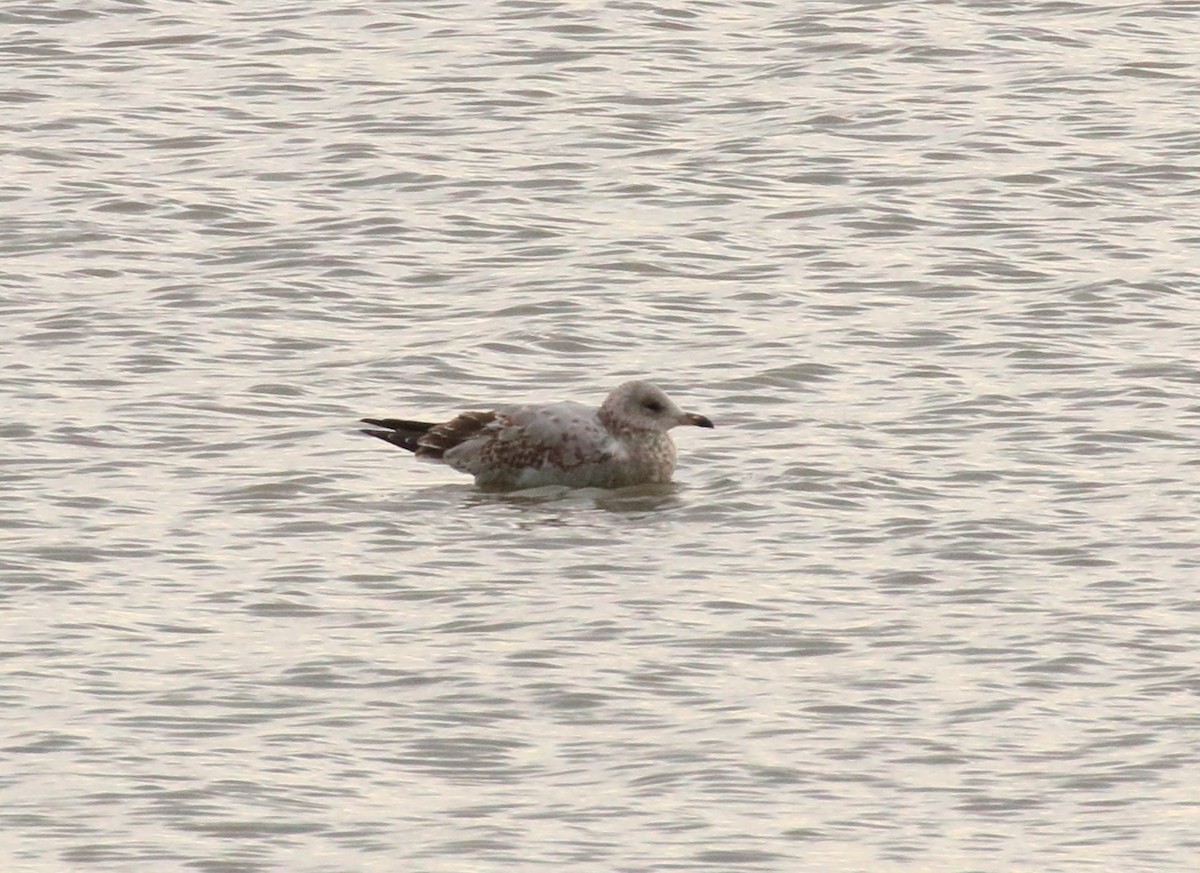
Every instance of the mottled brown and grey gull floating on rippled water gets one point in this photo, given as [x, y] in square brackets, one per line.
[622, 443]
